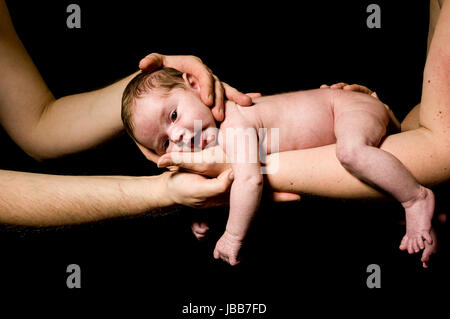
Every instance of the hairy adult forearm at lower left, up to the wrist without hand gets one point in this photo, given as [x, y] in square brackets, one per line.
[42, 200]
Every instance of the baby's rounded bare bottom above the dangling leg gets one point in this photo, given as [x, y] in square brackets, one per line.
[361, 119]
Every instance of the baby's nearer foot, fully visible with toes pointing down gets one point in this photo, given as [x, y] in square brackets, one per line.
[419, 212]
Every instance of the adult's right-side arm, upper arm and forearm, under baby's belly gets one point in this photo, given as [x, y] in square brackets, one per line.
[425, 151]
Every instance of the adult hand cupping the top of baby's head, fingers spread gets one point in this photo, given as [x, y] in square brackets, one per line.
[212, 90]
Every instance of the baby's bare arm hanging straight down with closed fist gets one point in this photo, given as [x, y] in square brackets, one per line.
[245, 192]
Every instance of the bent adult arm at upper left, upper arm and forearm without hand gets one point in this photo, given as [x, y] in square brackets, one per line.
[42, 126]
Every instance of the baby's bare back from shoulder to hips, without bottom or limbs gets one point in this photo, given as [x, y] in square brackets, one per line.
[302, 119]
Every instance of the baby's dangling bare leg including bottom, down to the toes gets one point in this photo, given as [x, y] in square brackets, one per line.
[359, 127]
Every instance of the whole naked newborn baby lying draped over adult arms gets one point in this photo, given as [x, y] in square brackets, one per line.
[162, 111]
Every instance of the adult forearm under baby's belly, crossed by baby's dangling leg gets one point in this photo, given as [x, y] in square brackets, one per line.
[317, 171]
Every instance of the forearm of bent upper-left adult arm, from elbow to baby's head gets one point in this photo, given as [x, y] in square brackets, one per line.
[77, 122]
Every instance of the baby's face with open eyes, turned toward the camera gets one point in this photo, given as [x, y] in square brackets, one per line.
[165, 124]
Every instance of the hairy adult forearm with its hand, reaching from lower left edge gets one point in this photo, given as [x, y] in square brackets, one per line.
[37, 199]
